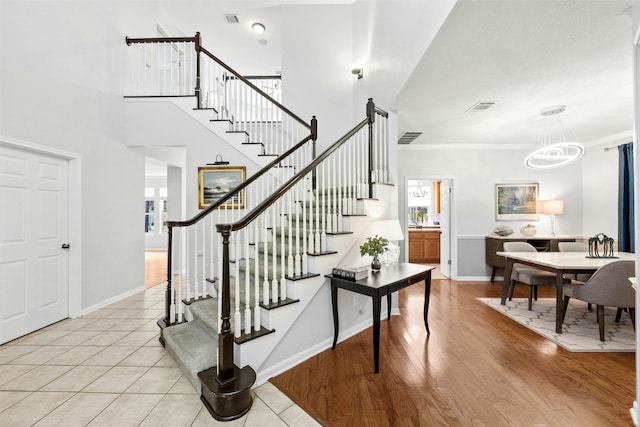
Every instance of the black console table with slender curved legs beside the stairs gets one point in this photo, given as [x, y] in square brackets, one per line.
[389, 280]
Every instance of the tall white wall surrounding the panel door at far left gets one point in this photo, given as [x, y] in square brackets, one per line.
[61, 80]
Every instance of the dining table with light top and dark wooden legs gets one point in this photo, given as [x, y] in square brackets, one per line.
[559, 263]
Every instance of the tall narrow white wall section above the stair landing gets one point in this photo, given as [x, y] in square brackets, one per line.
[316, 69]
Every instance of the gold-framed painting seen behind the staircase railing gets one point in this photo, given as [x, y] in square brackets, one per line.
[216, 181]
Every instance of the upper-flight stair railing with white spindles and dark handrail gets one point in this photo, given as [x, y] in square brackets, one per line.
[181, 66]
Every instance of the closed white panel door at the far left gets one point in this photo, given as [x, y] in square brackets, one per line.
[34, 268]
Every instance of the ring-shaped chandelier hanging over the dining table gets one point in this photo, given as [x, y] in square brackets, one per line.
[554, 148]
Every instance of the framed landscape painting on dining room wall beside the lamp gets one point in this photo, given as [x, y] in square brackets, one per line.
[516, 202]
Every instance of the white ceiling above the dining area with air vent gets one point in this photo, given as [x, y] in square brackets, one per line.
[526, 55]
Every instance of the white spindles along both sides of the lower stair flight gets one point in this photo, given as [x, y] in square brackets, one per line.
[281, 216]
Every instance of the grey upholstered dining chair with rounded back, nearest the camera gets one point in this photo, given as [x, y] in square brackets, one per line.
[609, 286]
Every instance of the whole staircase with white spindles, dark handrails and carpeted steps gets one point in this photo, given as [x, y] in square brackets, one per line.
[241, 275]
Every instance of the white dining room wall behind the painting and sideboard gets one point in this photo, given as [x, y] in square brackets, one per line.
[475, 172]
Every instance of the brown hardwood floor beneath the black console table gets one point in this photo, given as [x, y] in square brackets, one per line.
[478, 368]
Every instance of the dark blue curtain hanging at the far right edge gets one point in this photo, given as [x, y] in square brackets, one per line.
[626, 240]
